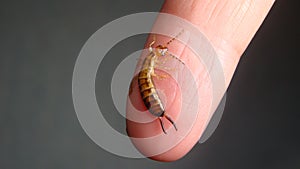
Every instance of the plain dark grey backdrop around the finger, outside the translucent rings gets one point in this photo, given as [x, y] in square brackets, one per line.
[40, 41]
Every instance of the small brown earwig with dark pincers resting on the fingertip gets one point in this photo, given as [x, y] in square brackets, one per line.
[147, 87]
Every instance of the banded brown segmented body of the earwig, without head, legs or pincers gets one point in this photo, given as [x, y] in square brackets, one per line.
[148, 91]
